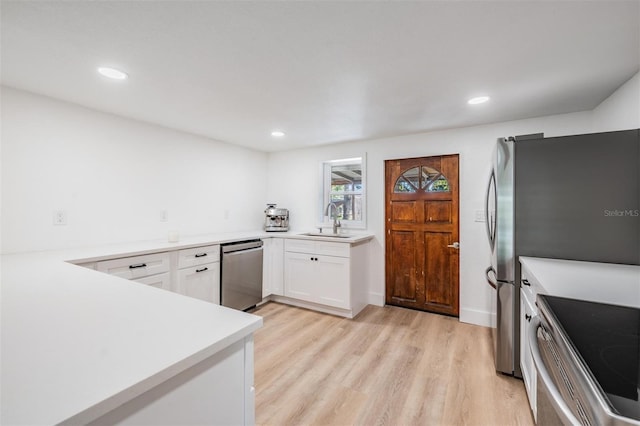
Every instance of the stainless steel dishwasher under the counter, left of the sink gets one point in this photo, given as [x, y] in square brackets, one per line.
[241, 281]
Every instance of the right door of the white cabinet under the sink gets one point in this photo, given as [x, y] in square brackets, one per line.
[332, 277]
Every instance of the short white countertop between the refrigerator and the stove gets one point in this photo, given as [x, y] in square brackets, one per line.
[598, 282]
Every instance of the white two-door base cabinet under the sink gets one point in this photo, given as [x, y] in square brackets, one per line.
[330, 276]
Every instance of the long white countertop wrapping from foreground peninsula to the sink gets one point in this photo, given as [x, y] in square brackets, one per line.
[77, 343]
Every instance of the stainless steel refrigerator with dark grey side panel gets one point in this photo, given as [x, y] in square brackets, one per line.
[572, 197]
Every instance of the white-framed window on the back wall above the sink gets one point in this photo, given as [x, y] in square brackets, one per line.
[344, 186]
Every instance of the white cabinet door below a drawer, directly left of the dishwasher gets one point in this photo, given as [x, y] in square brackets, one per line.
[201, 282]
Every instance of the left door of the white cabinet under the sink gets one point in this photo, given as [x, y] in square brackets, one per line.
[300, 276]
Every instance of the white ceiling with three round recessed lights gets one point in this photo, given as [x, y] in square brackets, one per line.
[321, 71]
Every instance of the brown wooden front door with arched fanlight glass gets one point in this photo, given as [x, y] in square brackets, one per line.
[422, 233]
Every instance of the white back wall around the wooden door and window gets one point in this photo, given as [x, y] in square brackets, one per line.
[294, 181]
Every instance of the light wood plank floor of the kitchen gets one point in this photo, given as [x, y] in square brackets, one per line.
[389, 366]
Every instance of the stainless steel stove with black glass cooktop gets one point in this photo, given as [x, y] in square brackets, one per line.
[587, 358]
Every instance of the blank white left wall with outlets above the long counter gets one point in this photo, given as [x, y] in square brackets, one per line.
[113, 176]
